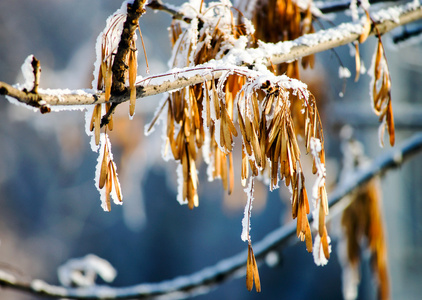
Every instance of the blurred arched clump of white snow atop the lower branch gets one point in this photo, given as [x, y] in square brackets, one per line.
[84, 271]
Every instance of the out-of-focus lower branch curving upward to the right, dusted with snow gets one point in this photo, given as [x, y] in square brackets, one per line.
[205, 279]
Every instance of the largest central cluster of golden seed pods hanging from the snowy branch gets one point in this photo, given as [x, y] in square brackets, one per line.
[241, 102]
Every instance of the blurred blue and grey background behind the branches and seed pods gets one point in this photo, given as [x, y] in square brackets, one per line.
[50, 209]
